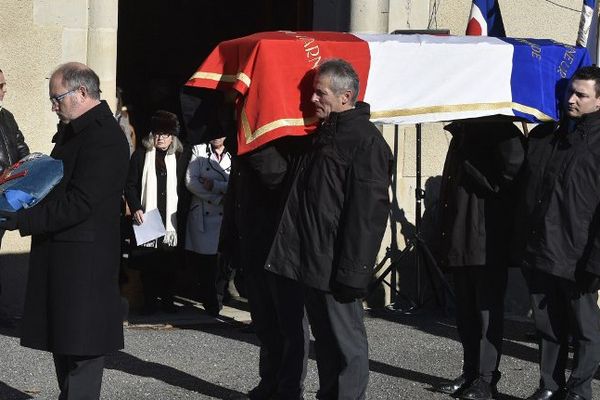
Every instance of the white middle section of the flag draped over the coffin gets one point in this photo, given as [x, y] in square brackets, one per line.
[465, 81]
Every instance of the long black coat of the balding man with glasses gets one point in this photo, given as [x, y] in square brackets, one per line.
[73, 305]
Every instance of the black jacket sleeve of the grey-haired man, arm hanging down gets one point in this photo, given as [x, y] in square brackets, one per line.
[364, 214]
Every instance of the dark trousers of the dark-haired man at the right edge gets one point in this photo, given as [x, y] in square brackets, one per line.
[560, 310]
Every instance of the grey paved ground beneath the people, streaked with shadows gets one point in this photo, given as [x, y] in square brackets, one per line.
[189, 355]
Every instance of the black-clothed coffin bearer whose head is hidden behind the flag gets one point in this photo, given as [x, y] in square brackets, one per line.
[476, 215]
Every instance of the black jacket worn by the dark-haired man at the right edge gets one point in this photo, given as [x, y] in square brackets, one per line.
[558, 215]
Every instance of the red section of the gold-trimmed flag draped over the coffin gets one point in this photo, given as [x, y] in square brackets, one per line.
[273, 72]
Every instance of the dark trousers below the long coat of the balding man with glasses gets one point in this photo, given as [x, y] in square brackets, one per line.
[79, 377]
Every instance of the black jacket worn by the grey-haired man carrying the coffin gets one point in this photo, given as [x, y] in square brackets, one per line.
[335, 215]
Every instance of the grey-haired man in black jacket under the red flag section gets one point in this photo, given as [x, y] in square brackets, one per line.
[332, 225]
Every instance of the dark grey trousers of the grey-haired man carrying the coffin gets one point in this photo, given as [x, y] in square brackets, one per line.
[341, 346]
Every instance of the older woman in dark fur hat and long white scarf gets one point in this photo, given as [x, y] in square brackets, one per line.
[153, 183]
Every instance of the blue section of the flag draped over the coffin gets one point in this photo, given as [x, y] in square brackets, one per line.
[542, 66]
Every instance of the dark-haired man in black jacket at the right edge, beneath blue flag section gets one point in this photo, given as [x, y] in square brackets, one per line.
[558, 239]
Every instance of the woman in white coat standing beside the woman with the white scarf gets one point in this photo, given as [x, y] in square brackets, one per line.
[206, 178]
